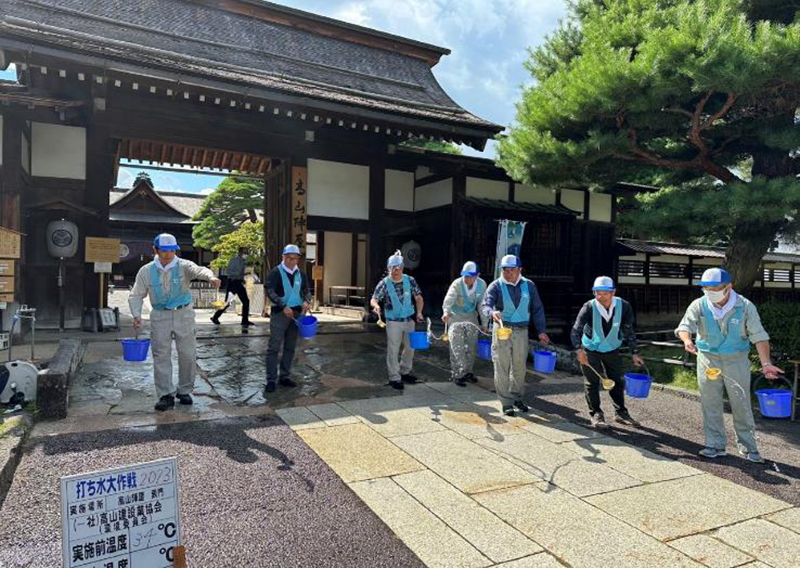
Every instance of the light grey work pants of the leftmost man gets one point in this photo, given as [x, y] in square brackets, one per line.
[164, 326]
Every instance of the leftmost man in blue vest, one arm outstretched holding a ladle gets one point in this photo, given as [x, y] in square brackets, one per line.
[166, 281]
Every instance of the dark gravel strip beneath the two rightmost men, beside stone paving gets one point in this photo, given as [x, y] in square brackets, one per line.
[672, 426]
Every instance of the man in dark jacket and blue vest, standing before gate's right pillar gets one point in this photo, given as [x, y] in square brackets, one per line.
[287, 288]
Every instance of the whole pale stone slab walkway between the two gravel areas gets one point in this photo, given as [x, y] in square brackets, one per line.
[462, 485]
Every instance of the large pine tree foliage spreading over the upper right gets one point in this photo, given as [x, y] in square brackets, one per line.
[675, 93]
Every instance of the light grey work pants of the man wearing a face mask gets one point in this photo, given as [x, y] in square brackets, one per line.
[736, 381]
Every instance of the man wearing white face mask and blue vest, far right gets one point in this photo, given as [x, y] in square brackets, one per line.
[725, 325]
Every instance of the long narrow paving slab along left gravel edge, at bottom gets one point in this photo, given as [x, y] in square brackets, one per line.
[436, 544]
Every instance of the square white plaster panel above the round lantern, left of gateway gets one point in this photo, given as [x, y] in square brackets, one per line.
[58, 151]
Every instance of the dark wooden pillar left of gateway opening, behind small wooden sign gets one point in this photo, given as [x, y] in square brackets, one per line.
[101, 157]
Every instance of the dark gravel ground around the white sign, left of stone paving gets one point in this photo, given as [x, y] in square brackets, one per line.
[252, 494]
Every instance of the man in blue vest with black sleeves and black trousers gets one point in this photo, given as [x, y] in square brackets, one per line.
[604, 326]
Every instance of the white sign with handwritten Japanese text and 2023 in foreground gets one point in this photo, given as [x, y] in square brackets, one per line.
[126, 517]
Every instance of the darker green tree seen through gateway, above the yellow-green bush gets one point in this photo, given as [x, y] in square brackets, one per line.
[234, 201]
